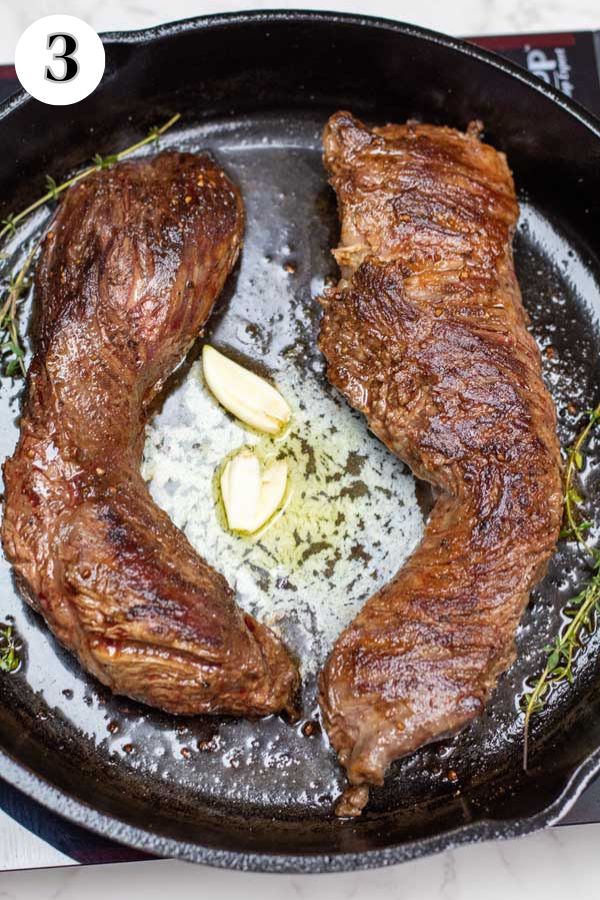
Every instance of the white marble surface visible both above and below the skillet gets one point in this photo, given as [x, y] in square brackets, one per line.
[562, 861]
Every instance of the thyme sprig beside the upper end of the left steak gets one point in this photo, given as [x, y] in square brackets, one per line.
[11, 347]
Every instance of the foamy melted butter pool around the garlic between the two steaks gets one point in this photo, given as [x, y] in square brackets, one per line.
[348, 521]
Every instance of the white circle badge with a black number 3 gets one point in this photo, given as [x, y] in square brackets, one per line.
[59, 60]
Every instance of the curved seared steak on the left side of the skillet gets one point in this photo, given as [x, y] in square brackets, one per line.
[130, 269]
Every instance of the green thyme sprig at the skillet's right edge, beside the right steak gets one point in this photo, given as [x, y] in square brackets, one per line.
[580, 611]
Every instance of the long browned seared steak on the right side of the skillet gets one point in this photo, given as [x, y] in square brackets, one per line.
[427, 336]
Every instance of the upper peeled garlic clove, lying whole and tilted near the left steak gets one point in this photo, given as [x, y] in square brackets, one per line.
[250, 398]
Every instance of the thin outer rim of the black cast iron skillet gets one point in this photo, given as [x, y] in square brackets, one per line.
[80, 813]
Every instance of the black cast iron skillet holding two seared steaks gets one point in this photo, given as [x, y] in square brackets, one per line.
[257, 88]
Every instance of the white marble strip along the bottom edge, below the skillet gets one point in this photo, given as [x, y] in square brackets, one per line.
[562, 862]
